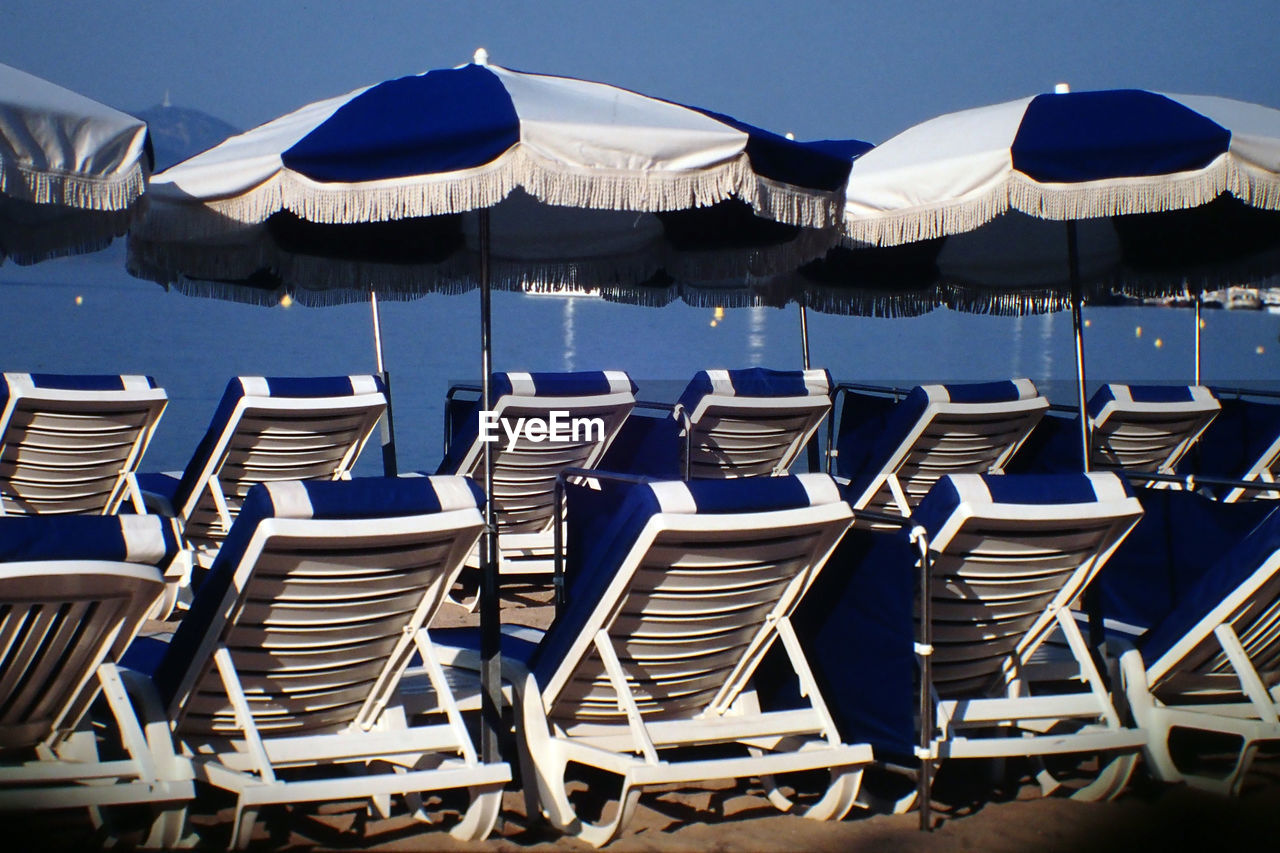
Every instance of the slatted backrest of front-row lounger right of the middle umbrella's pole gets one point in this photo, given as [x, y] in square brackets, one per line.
[687, 580]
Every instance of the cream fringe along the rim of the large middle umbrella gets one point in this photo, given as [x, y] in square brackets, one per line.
[488, 185]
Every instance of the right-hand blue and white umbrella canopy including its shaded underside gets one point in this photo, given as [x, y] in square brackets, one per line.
[1167, 191]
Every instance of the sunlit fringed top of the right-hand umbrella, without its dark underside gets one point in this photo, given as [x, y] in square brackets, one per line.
[1064, 157]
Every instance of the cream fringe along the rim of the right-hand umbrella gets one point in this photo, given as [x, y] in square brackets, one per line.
[1062, 202]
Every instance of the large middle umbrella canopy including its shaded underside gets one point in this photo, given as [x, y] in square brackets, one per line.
[586, 184]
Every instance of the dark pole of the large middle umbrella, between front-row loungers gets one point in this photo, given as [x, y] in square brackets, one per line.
[491, 630]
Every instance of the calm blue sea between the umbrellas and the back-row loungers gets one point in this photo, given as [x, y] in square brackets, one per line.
[89, 316]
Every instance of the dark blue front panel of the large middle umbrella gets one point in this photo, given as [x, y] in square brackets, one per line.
[444, 121]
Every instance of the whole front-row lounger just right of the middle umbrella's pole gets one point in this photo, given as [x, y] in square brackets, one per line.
[676, 591]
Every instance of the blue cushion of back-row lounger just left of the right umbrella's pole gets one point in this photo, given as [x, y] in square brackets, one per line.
[872, 430]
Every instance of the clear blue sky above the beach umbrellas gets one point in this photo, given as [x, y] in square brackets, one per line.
[820, 69]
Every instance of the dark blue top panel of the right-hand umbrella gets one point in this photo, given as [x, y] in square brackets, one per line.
[1117, 134]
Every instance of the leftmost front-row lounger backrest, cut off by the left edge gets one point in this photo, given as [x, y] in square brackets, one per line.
[74, 592]
